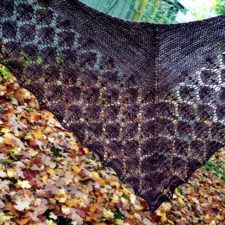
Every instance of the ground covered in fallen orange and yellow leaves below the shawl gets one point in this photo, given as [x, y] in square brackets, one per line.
[47, 177]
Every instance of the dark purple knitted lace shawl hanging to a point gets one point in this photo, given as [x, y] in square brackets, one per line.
[148, 99]
